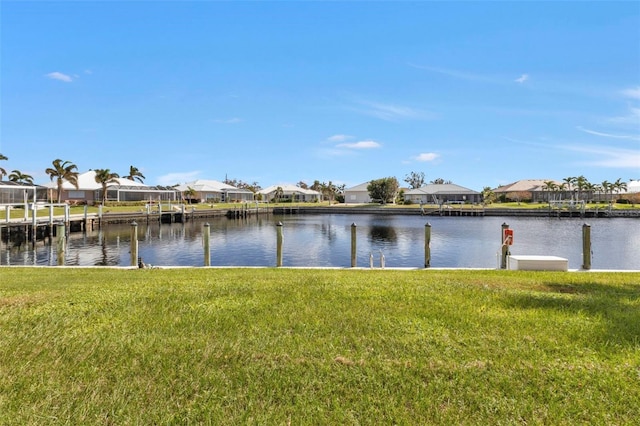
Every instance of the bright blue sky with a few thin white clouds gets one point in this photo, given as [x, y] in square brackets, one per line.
[479, 93]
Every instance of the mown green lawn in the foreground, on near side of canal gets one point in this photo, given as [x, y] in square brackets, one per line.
[274, 346]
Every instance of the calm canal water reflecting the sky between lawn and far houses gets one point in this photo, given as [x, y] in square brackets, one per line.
[325, 241]
